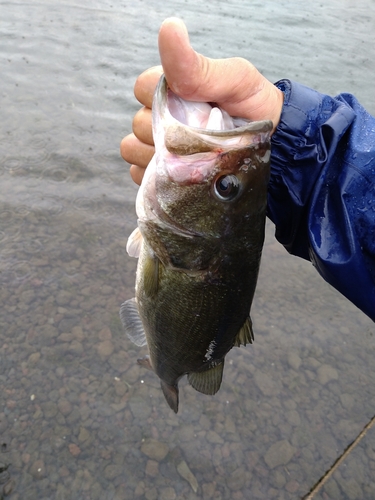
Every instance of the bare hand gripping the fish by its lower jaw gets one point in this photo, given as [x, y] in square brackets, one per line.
[234, 84]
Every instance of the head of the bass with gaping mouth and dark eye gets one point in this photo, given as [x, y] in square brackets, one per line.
[209, 171]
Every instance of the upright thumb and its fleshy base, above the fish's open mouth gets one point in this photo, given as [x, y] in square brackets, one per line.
[234, 83]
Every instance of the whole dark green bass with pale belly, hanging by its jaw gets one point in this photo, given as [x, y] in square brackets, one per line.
[201, 215]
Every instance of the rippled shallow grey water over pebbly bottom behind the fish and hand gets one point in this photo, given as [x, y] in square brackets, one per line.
[79, 419]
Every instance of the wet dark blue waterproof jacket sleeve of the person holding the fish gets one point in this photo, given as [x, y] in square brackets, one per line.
[321, 193]
